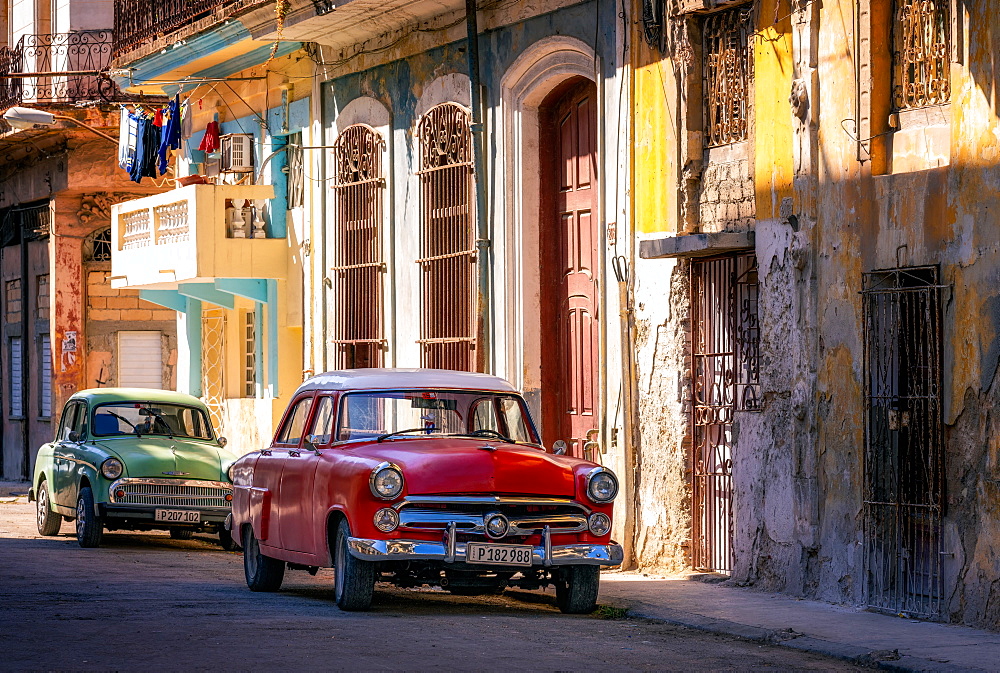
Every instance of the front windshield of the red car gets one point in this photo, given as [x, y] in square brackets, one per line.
[489, 415]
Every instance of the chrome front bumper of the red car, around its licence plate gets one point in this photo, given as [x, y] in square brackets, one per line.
[449, 550]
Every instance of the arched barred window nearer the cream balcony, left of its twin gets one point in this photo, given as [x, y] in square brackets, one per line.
[357, 238]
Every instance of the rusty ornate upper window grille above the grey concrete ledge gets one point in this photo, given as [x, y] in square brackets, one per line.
[728, 73]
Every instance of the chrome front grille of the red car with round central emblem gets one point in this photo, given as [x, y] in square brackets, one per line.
[526, 516]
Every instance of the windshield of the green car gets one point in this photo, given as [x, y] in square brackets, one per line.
[150, 418]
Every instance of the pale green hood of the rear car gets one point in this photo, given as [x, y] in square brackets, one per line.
[163, 458]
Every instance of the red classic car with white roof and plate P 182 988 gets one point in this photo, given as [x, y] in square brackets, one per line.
[421, 477]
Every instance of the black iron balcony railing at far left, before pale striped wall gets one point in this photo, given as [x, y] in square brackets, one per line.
[58, 68]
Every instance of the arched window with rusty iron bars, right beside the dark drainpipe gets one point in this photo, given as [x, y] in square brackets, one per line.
[447, 246]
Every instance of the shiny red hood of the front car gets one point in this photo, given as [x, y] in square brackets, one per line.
[465, 466]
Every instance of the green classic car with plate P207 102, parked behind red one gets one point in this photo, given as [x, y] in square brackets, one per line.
[134, 459]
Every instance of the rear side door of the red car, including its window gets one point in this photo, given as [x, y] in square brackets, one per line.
[265, 501]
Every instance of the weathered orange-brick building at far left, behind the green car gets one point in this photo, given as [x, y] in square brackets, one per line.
[64, 328]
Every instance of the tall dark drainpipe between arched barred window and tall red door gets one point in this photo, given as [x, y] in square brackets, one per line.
[483, 266]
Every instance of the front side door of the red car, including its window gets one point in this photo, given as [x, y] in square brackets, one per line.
[298, 507]
